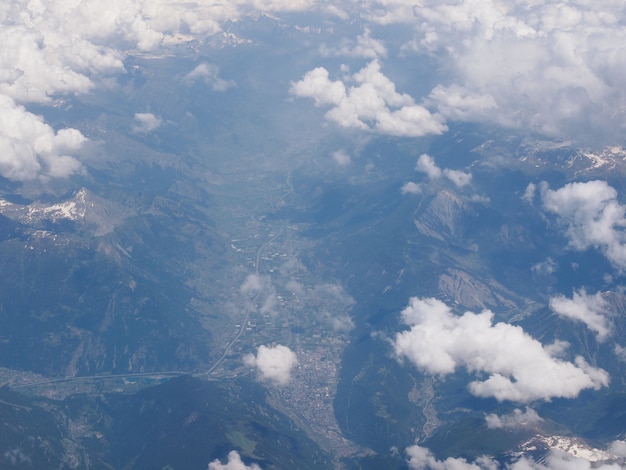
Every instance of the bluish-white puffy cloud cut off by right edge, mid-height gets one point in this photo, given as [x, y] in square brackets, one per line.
[592, 215]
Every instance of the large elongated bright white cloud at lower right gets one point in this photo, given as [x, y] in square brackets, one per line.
[516, 364]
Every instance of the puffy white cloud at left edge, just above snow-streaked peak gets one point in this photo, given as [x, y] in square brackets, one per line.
[31, 149]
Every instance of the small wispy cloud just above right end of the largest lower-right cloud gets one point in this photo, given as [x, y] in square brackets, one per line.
[592, 310]
